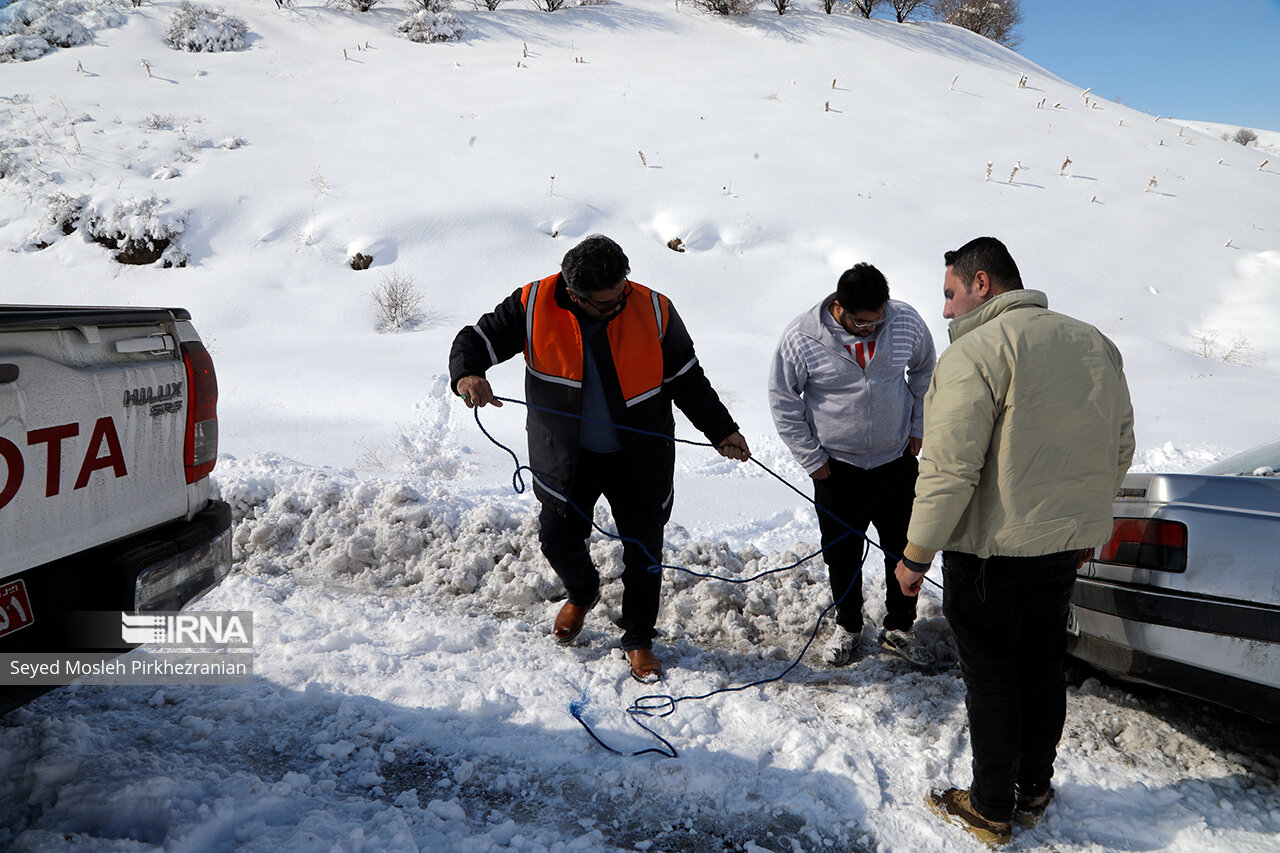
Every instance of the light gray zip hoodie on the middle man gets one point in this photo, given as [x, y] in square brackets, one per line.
[826, 407]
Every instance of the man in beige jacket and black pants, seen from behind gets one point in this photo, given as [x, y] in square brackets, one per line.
[1028, 436]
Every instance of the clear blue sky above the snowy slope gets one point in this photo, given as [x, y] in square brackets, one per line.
[1209, 61]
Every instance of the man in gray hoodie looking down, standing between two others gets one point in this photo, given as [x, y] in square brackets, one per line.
[847, 390]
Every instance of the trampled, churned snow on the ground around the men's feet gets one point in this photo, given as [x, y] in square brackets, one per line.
[408, 699]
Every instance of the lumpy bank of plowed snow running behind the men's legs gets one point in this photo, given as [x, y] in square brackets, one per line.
[381, 536]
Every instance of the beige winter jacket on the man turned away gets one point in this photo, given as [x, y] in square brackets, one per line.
[1028, 434]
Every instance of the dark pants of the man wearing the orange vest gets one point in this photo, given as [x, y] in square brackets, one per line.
[564, 539]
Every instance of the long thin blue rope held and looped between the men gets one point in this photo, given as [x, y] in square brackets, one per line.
[665, 705]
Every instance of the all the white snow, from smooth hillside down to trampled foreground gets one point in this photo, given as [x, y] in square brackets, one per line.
[408, 696]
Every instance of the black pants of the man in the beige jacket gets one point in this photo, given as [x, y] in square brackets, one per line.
[1009, 619]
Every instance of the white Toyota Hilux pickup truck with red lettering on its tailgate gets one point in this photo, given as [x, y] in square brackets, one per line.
[108, 436]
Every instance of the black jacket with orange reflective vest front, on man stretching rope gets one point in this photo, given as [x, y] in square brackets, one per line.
[646, 359]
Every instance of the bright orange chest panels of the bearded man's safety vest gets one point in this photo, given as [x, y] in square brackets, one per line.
[554, 343]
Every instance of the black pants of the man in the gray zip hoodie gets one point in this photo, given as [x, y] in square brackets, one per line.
[857, 498]
